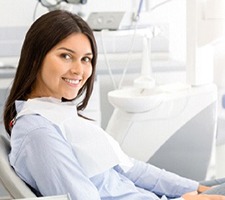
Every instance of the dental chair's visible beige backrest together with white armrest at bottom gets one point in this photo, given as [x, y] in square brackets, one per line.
[14, 186]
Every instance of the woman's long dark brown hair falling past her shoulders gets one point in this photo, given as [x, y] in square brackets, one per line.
[43, 35]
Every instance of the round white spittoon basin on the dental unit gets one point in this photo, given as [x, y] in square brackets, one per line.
[135, 99]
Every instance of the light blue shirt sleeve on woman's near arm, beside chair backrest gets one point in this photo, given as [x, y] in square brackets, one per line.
[47, 162]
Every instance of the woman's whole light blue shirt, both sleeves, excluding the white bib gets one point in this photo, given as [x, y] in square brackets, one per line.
[45, 160]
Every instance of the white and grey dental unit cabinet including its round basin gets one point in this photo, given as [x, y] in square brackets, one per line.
[170, 127]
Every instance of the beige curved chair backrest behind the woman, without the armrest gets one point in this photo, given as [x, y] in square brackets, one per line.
[9, 179]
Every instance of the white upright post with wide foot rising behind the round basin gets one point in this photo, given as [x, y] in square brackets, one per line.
[145, 81]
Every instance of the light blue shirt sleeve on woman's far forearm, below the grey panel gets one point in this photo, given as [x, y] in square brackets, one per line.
[159, 181]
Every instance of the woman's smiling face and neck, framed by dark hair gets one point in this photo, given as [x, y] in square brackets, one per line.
[65, 69]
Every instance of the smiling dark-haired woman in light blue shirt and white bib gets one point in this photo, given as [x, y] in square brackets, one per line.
[57, 151]
